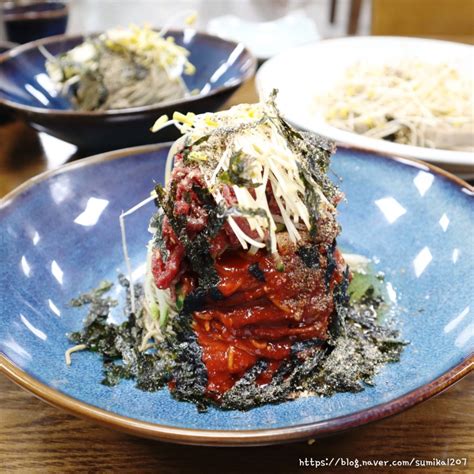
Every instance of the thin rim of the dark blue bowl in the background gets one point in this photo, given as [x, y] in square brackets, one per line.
[12, 53]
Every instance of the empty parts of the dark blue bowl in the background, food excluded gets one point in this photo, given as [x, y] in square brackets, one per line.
[221, 67]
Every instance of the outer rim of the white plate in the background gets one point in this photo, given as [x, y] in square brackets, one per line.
[343, 137]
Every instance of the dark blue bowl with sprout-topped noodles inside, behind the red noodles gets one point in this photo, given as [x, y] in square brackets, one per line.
[104, 91]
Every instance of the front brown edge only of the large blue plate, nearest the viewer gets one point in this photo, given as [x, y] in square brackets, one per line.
[236, 438]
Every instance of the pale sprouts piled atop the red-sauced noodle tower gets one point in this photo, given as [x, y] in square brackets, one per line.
[254, 136]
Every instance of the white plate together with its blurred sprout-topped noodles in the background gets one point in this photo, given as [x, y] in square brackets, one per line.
[409, 97]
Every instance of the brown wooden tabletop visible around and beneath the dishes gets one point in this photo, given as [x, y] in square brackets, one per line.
[35, 437]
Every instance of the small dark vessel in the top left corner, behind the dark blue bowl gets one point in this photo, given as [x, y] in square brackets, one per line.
[34, 20]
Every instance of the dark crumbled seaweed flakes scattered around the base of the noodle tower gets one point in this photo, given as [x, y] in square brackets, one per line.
[358, 346]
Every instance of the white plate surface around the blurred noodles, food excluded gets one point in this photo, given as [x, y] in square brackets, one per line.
[302, 73]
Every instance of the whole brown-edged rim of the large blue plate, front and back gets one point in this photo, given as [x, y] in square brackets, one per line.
[226, 437]
